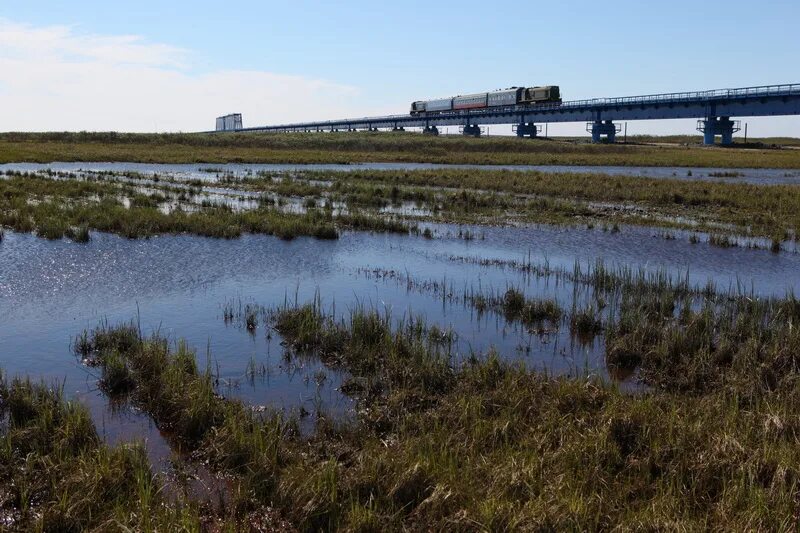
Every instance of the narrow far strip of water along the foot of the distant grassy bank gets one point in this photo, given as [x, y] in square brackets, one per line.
[763, 176]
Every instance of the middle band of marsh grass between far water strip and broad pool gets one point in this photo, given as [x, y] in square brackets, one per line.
[463, 196]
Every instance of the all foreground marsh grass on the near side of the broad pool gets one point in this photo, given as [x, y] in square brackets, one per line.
[469, 443]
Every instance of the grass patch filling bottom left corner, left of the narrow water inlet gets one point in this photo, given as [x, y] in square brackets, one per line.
[57, 475]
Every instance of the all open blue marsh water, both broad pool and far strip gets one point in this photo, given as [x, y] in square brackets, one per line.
[182, 286]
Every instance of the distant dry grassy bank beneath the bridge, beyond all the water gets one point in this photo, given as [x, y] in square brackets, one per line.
[366, 147]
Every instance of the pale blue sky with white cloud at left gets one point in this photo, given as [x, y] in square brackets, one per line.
[174, 66]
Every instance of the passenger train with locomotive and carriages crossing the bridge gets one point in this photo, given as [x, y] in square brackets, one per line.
[548, 94]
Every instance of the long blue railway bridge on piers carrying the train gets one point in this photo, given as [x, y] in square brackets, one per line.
[715, 110]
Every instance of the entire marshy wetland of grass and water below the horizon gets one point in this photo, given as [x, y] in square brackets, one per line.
[190, 343]
